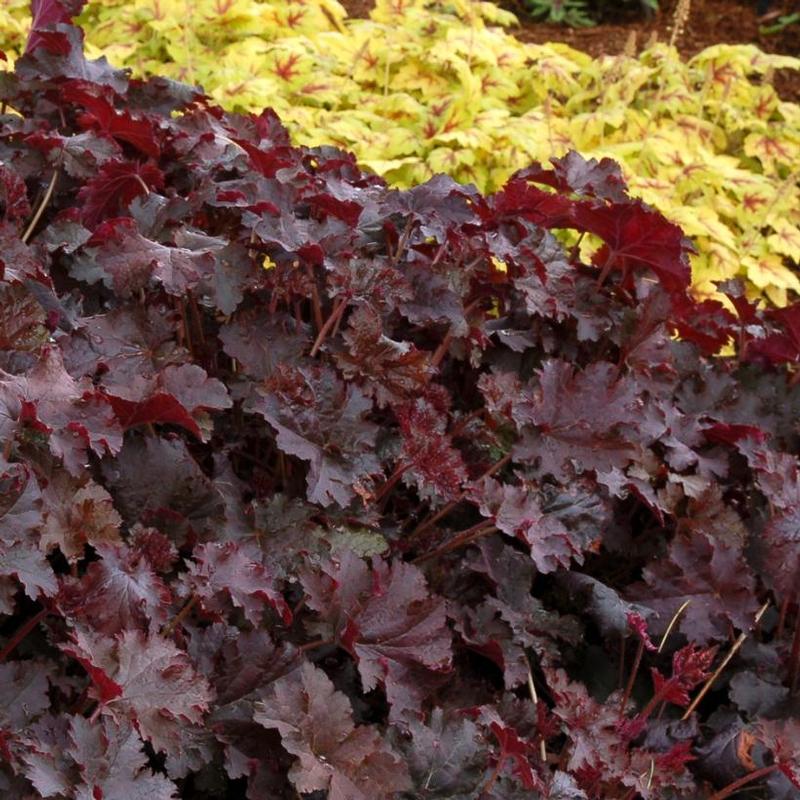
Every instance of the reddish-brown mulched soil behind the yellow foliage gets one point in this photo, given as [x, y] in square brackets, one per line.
[710, 22]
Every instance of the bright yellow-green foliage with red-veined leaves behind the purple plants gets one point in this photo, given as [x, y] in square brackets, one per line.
[423, 87]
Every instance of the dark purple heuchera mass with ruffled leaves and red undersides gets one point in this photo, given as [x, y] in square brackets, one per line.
[312, 487]
